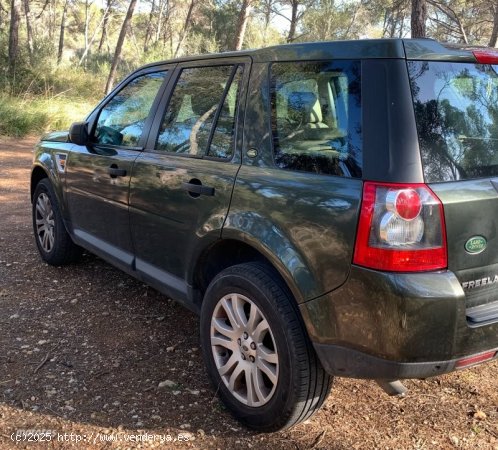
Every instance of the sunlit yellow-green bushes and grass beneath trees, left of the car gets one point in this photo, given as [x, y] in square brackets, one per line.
[42, 96]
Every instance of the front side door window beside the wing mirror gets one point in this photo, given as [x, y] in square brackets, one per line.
[121, 121]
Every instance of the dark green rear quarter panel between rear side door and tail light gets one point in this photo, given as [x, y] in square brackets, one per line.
[304, 223]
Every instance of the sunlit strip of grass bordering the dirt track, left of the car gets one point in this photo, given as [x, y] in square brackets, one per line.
[35, 115]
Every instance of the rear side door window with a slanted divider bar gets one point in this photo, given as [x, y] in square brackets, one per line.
[200, 117]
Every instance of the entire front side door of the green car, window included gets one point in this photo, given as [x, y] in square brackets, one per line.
[98, 174]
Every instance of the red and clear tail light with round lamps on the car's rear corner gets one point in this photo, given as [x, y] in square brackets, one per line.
[401, 229]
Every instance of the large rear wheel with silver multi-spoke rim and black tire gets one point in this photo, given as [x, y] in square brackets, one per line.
[252, 334]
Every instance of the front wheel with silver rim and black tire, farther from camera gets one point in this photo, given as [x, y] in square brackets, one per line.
[52, 239]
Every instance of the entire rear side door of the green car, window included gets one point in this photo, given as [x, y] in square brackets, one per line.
[182, 183]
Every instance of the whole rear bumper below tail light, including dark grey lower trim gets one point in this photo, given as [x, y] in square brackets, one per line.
[393, 325]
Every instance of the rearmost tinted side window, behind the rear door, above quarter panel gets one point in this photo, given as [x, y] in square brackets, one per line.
[316, 117]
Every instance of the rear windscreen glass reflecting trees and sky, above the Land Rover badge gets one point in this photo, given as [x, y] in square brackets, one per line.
[456, 110]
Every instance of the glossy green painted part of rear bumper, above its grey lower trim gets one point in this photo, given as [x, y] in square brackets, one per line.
[401, 317]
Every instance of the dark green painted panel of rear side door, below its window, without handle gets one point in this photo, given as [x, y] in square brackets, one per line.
[174, 223]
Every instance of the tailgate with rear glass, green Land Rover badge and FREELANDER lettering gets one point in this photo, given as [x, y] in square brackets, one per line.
[456, 109]
